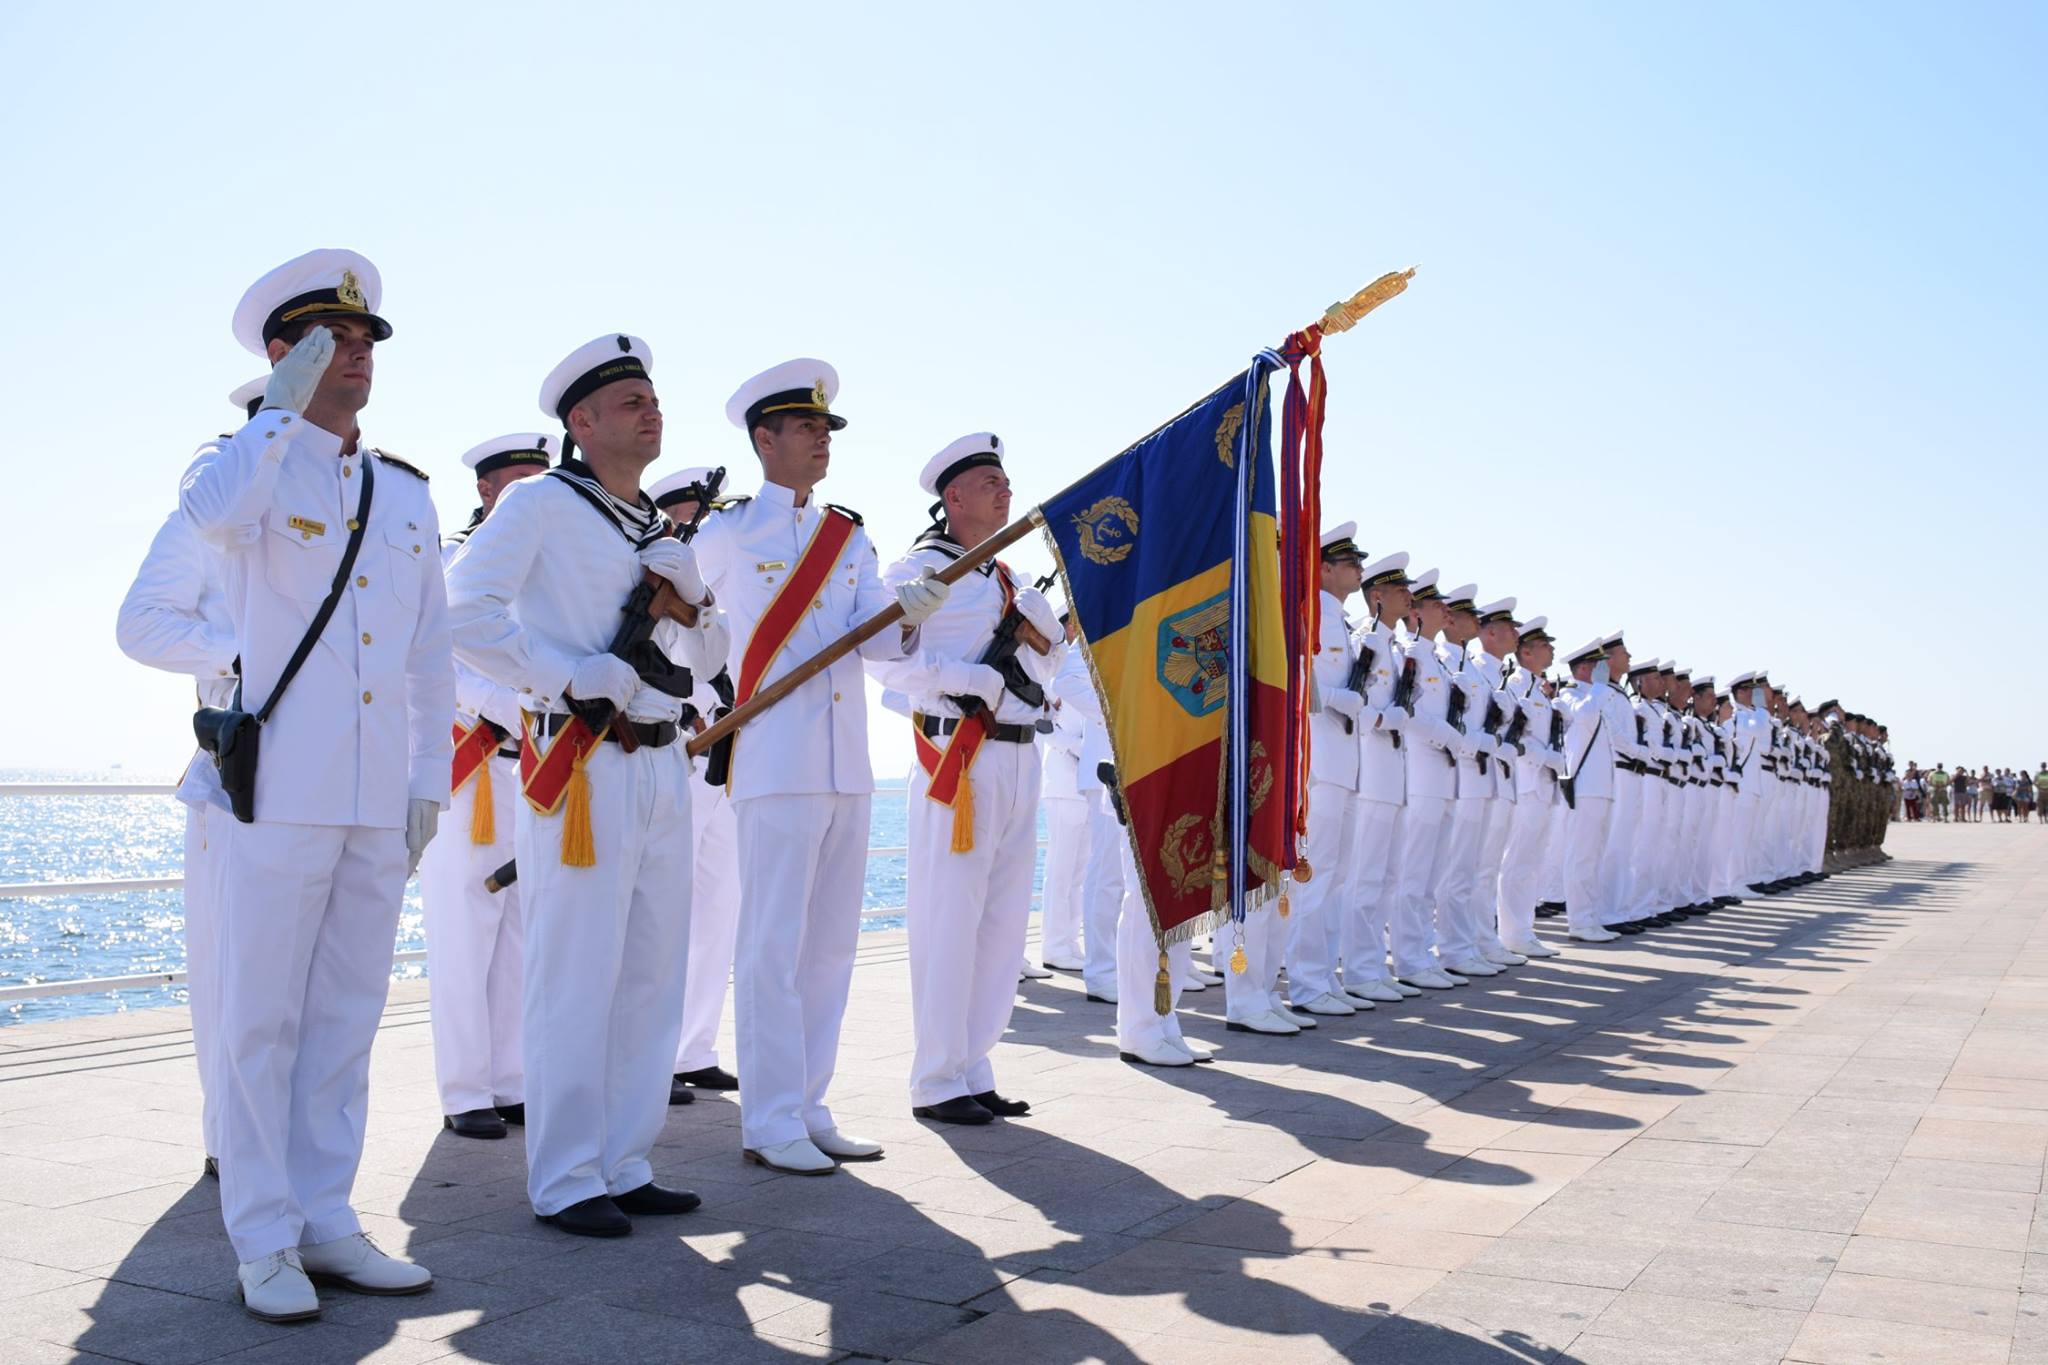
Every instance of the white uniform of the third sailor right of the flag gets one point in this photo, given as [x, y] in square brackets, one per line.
[1428, 746]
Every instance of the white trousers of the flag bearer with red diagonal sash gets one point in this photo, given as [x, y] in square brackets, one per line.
[802, 875]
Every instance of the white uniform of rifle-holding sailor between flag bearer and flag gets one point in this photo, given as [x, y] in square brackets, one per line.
[968, 914]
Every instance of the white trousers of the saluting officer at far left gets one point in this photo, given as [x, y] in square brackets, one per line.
[308, 918]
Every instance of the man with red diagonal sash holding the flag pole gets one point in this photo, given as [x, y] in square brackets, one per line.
[798, 574]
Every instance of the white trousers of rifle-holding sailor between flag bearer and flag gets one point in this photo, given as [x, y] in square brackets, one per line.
[968, 916]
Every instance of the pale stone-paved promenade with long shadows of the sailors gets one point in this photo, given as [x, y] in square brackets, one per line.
[1807, 1129]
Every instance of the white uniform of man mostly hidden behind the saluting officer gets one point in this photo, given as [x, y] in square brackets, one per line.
[175, 617]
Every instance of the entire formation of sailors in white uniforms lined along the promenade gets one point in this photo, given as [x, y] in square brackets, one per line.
[304, 570]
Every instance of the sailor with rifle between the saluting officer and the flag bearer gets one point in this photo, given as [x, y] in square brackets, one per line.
[603, 832]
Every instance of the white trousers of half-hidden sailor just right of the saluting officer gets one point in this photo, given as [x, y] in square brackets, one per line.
[476, 953]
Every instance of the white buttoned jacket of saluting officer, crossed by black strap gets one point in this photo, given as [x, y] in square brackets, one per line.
[366, 723]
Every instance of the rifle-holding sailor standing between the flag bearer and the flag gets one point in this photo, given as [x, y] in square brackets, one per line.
[974, 793]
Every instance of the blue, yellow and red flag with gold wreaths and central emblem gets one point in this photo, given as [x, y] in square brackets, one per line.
[1170, 556]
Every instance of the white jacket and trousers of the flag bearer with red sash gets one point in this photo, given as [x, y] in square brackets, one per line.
[802, 793]
